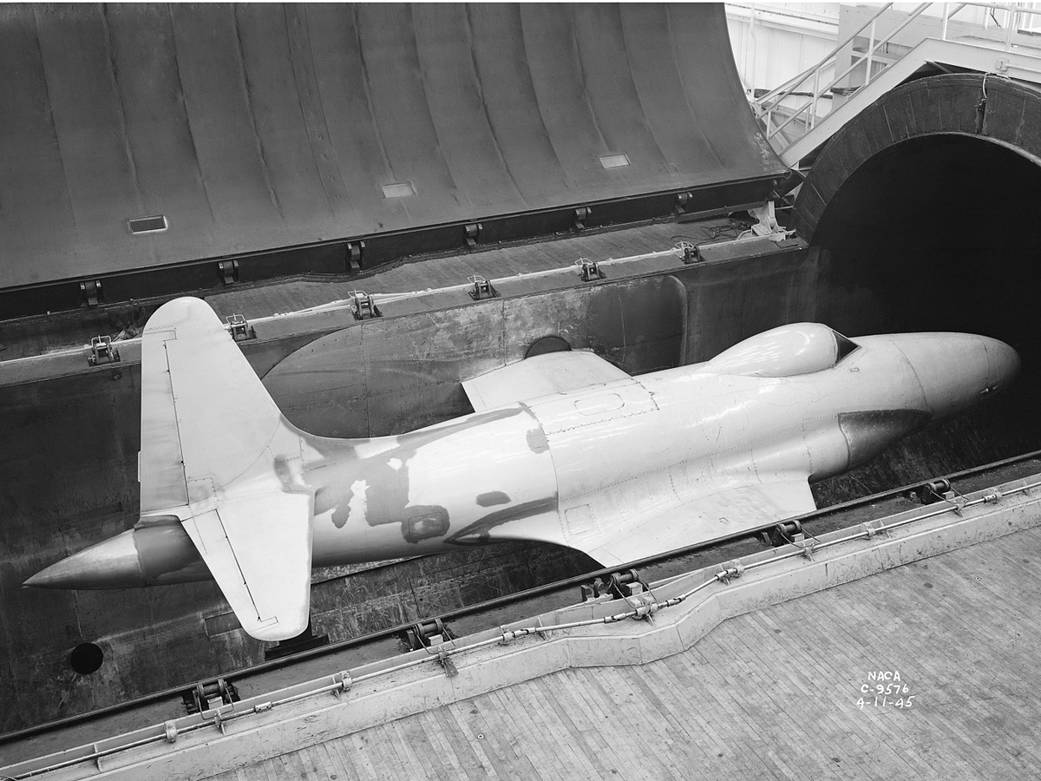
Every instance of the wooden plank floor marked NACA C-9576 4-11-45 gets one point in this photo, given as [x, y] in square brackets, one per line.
[769, 695]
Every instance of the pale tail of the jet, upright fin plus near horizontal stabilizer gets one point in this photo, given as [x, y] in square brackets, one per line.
[218, 454]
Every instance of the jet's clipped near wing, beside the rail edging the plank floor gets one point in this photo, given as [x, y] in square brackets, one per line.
[709, 516]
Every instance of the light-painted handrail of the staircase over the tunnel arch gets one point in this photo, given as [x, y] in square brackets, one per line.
[768, 105]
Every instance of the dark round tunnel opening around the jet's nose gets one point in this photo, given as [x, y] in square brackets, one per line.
[944, 234]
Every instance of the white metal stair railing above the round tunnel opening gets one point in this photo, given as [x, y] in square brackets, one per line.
[788, 120]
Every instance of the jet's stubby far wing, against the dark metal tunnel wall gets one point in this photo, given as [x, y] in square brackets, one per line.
[541, 375]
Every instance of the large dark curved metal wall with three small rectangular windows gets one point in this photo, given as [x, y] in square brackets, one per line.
[260, 127]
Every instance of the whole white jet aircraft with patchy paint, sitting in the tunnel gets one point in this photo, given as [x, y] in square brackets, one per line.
[563, 448]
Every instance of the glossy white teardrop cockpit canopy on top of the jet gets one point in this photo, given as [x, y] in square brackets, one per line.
[790, 350]
